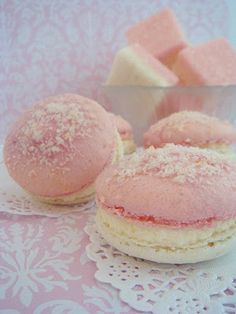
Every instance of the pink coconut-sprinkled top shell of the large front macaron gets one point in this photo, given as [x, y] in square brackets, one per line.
[174, 185]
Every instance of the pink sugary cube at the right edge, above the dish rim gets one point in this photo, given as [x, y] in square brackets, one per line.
[213, 63]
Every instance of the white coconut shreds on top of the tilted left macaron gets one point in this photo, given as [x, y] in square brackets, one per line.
[52, 128]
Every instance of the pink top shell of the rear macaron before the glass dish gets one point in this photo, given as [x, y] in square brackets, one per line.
[190, 128]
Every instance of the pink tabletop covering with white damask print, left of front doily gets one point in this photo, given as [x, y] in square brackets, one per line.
[44, 267]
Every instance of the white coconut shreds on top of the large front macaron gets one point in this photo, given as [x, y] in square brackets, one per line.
[182, 164]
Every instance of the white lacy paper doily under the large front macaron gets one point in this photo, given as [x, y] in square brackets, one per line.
[208, 287]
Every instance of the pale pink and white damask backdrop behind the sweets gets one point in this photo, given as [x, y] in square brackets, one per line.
[49, 47]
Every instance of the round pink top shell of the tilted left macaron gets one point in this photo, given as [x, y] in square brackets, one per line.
[60, 145]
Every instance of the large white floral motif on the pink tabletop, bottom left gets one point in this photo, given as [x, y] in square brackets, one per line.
[28, 267]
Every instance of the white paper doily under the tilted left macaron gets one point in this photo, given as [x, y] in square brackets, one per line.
[14, 200]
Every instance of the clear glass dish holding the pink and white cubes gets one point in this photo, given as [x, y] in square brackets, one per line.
[143, 106]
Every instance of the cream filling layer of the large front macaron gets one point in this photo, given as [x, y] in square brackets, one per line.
[168, 238]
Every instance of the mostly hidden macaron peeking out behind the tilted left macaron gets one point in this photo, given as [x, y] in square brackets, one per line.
[126, 133]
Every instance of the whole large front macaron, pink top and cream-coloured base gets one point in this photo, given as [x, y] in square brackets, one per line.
[169, 204]
